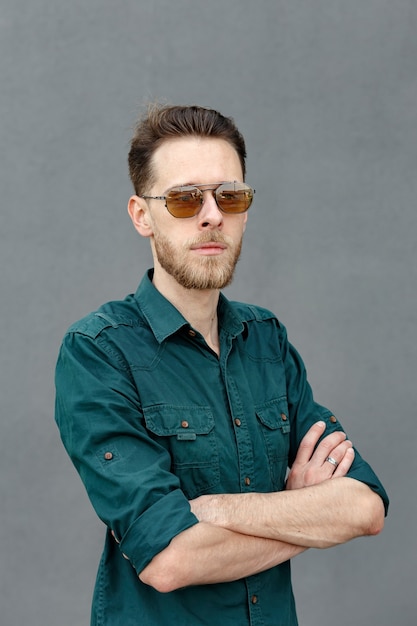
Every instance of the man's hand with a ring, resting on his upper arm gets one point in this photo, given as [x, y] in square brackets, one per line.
[310, 466]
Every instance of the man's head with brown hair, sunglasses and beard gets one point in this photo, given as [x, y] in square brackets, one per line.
[188, 162]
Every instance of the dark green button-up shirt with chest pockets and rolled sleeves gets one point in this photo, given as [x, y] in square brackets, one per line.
[152, 418]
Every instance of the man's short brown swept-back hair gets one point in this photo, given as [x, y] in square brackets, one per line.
[167, 122]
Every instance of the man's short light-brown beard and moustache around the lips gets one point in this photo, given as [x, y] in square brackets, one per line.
[199, 272]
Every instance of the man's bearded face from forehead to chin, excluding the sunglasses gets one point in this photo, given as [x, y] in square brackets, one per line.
[199, 252]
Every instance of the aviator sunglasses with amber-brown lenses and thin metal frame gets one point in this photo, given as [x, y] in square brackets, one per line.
[187, 201]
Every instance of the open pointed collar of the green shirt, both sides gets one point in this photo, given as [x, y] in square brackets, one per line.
[165, 320]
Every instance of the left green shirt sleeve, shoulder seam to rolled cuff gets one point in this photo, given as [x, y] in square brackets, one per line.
[126, 473]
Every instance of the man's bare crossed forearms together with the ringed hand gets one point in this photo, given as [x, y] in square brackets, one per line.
[243, 534]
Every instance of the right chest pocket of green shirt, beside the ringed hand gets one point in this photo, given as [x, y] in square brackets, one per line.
[275, 427]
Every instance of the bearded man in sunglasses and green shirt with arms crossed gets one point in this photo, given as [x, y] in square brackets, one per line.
[183, 411]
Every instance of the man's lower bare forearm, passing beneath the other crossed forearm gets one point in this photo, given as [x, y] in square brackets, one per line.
[206, 554]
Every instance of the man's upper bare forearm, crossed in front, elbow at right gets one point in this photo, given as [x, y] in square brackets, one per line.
[319, 516]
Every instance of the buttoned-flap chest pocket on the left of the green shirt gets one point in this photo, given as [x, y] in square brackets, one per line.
[188, 434]
